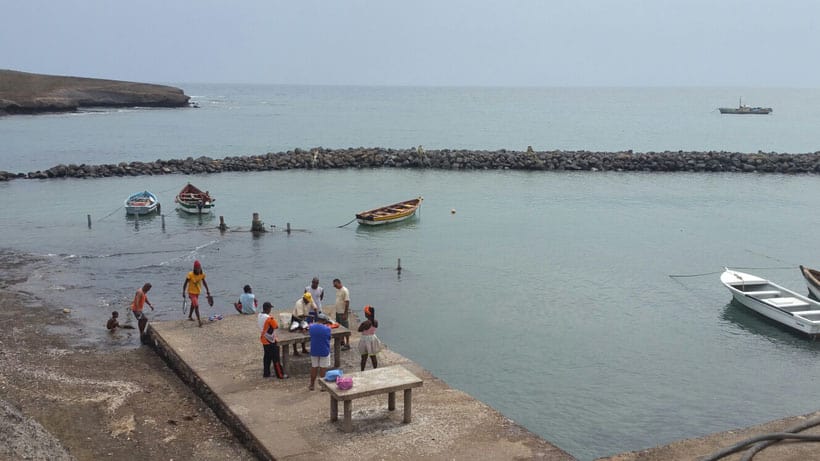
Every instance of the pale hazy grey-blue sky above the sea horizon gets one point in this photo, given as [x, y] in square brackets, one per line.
[552, 43]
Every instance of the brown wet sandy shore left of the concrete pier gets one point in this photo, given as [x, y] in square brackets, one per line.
[123, 403]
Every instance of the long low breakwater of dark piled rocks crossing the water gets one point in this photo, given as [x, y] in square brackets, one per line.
[446, 159]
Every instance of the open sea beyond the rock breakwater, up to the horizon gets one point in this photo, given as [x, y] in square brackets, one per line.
[244, 120]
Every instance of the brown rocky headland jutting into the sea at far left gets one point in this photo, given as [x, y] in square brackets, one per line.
[25, 93]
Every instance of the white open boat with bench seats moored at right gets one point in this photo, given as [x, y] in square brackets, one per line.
[774, 301]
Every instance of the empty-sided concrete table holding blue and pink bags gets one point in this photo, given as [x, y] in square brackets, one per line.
[386, 380]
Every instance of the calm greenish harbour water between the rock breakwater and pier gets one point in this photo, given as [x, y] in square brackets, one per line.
[546, 295]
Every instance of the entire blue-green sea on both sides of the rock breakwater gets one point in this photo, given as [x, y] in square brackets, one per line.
[585, 306]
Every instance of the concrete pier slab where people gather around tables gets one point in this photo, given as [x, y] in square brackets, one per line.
[282, 419]
